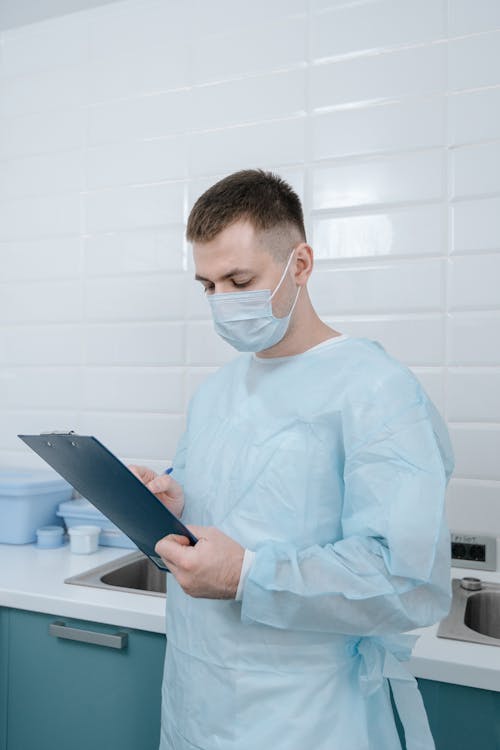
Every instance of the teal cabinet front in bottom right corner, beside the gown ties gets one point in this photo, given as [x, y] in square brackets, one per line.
[461, 717]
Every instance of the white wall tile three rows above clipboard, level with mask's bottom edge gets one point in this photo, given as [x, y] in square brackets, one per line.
[138, 344]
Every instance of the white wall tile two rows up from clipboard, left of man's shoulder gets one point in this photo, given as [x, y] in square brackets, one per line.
[137, 389]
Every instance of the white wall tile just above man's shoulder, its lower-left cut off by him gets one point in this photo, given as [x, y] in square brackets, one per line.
[415, 341]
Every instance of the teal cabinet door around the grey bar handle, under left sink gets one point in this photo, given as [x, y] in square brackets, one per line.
[71, 694]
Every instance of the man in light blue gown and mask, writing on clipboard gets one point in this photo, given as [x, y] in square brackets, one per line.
[312, 470]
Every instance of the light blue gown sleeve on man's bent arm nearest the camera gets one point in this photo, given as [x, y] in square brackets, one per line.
[390, 571]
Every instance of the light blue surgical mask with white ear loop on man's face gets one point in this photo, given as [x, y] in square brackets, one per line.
[245, 319]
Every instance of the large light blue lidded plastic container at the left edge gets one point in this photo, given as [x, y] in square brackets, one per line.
[28, 499]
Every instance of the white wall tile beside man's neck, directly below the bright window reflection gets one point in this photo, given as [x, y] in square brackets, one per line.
[381, 288]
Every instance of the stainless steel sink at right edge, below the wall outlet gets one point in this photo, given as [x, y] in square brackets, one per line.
[475, 612]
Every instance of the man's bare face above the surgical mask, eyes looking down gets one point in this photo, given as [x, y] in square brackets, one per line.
[237, 260]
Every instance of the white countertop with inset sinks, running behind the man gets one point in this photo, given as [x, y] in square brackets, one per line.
[33, 579]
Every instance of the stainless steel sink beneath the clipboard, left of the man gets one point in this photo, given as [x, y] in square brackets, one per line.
[135, 573]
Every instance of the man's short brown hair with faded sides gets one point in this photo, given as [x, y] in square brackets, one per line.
[263, 198]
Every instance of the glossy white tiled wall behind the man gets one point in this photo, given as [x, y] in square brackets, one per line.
[385, 117]
